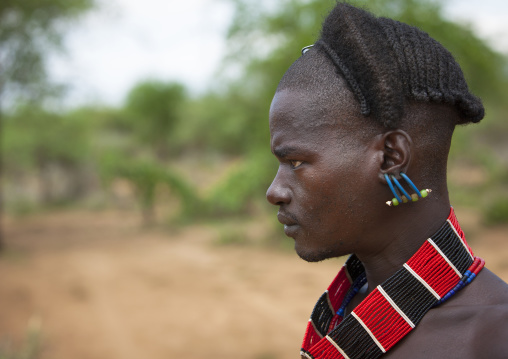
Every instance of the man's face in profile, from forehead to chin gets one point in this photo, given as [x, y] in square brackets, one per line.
[321, 185]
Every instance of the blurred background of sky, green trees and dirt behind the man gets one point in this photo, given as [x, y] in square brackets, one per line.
[135, 161]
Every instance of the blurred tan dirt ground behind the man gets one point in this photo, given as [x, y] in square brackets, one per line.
[101, 287]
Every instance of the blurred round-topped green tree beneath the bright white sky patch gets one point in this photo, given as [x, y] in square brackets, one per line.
[145, 139]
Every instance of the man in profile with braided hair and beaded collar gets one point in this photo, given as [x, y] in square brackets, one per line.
[364, 119]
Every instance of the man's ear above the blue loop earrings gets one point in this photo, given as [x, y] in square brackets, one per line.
[396, 147]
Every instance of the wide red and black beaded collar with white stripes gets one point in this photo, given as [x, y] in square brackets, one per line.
[442, 266]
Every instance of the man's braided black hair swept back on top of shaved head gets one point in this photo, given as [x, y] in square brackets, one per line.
[387, 63]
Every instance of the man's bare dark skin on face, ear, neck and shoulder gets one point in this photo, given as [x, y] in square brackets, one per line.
[331, 193]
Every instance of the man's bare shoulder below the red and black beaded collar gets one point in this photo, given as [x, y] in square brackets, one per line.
[472, 324]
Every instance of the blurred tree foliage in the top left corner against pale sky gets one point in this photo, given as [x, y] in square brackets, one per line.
[28, 30]
